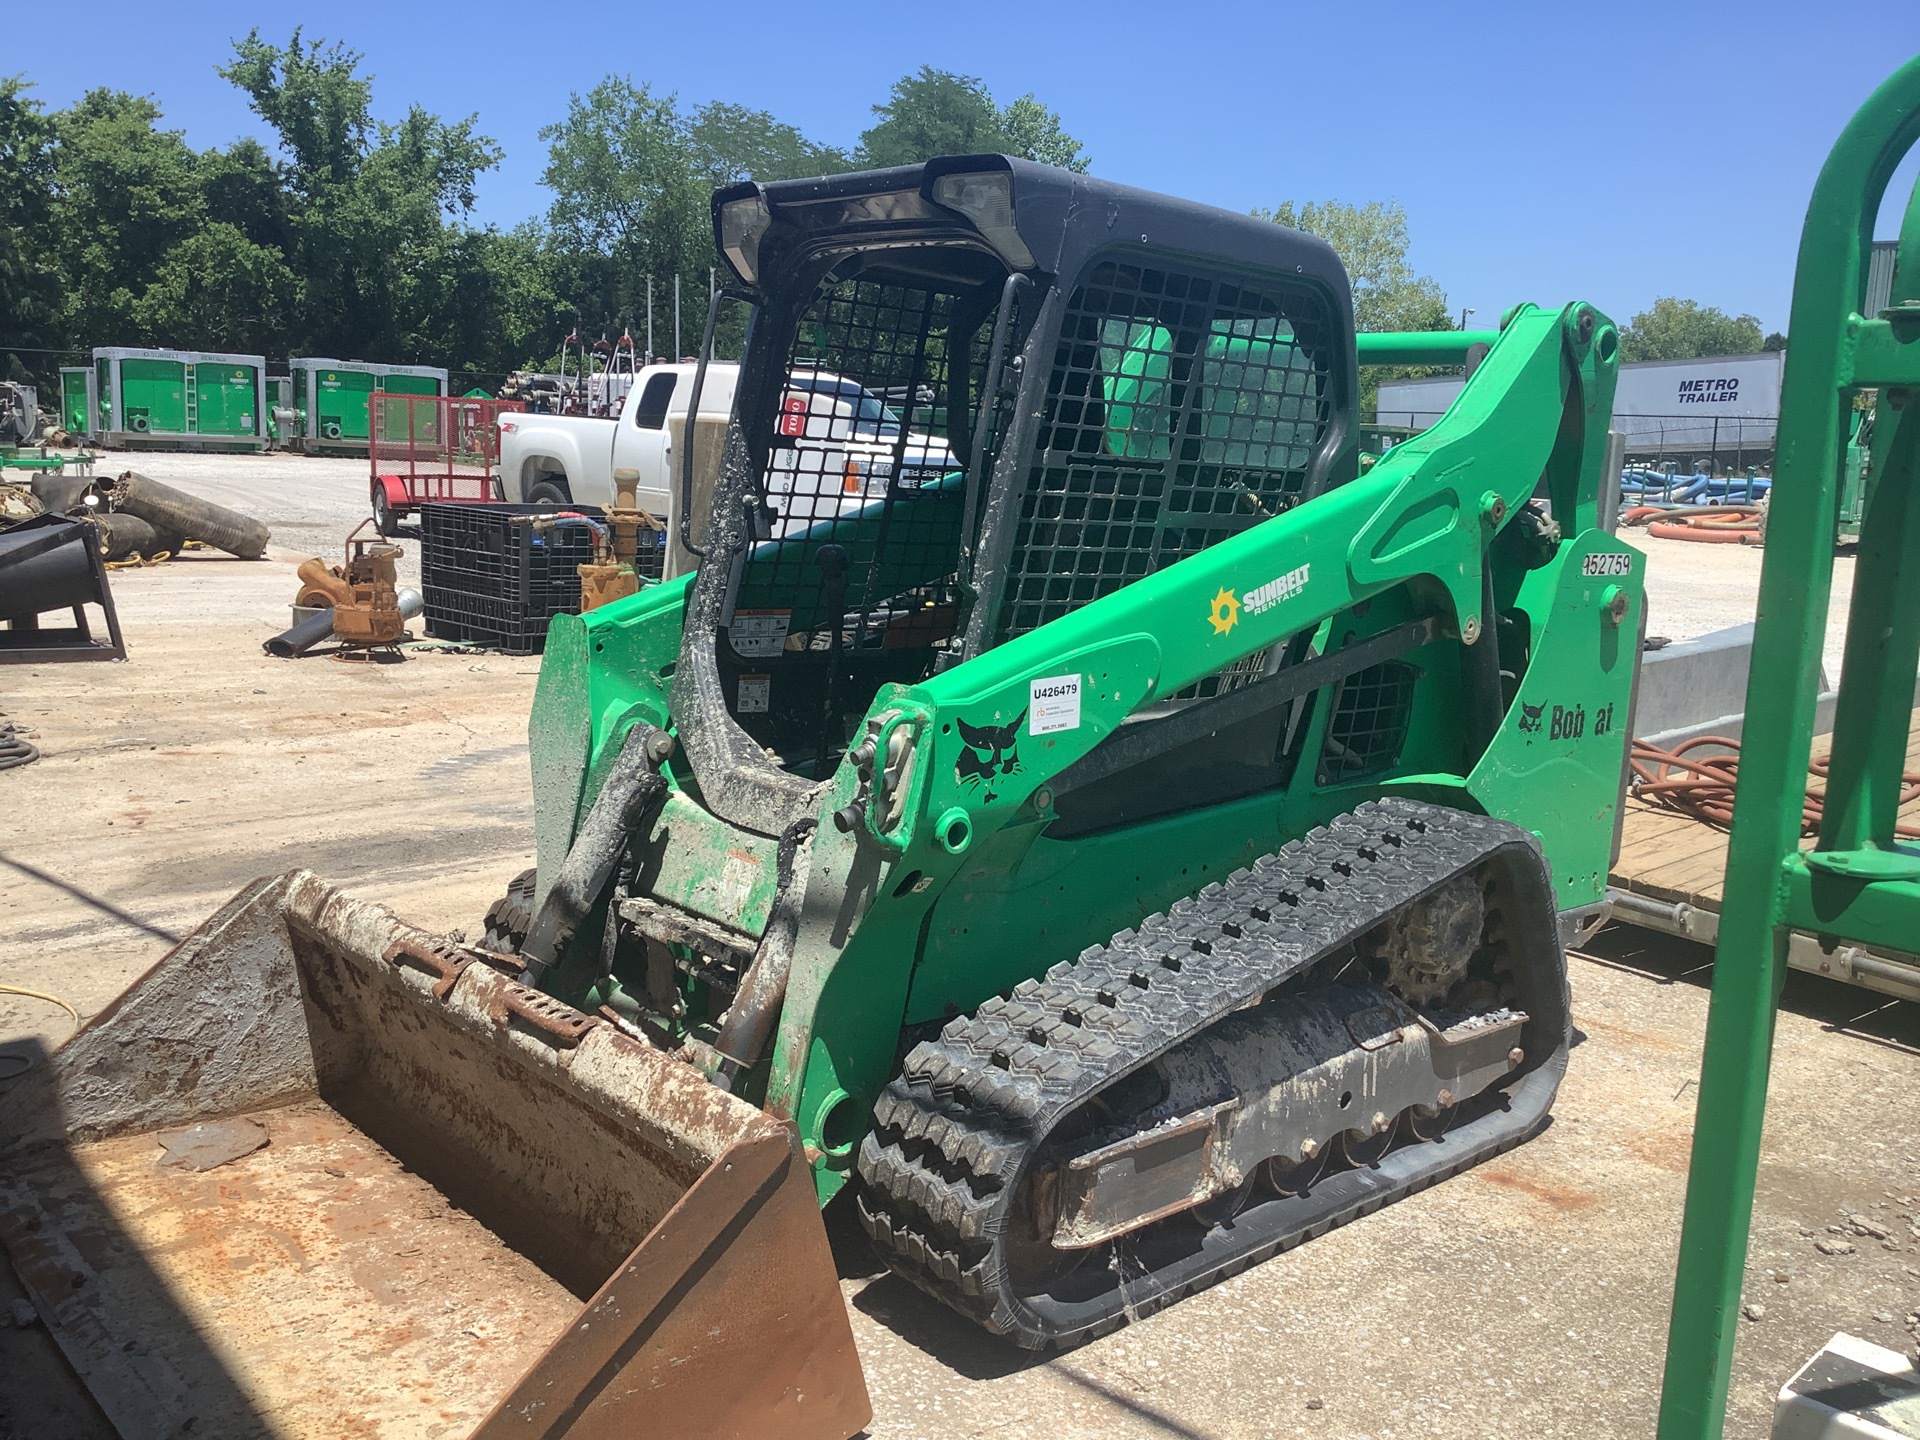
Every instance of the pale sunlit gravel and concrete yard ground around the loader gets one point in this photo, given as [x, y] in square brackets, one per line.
[1524, 1299]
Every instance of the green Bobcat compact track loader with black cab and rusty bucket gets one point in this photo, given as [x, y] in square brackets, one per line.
[1070, 807]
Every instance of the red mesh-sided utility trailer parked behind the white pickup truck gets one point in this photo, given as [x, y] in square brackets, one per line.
[433, 448]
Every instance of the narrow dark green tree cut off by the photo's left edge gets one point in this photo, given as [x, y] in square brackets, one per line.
[30, 281]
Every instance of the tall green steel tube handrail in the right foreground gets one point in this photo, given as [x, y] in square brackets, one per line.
[1833, 352]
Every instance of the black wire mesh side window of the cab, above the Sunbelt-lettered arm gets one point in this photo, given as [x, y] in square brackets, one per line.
[1184, 408]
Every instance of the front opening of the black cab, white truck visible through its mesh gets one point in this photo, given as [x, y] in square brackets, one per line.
[865, 498]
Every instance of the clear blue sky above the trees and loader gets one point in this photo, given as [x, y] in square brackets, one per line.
[1610, 153]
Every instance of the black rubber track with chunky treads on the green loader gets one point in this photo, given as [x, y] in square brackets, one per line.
[953, 1132]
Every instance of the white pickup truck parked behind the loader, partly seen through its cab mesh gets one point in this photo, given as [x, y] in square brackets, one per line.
[834, 446]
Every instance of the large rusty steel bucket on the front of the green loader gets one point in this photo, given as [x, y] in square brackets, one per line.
[324, 1174]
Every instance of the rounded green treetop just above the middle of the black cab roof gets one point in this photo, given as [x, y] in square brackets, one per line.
[942, 114]
